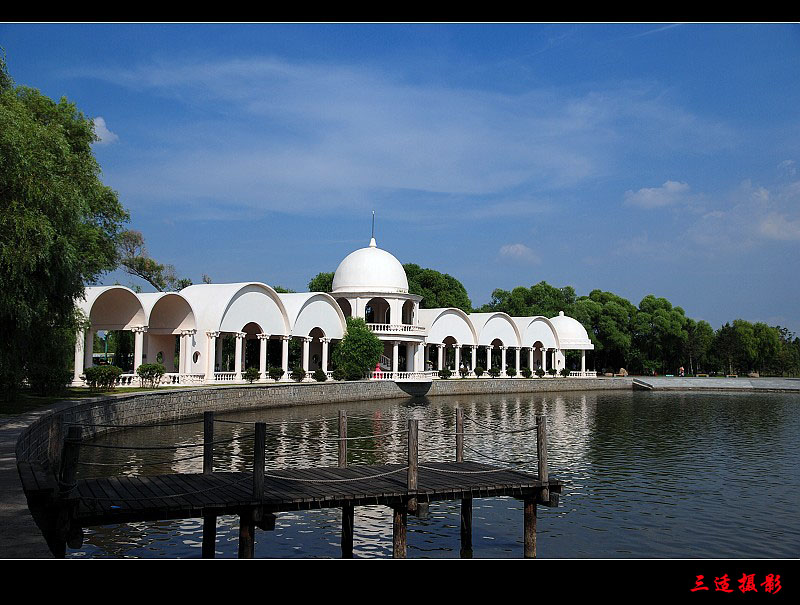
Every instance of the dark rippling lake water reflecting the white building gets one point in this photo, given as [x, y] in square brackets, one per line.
[647, 475]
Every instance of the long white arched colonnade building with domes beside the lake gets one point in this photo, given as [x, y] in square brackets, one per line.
[369, 283]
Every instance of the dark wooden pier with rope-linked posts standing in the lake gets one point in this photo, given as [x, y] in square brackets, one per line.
[256, 497]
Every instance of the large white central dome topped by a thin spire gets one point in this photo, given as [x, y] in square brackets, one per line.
[370, 269]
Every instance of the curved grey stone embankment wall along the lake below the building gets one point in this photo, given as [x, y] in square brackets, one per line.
[41, 441]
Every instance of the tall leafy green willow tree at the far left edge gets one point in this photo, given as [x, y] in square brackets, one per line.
[59, 230]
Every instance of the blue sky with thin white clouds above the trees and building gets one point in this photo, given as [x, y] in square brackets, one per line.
[637, 158]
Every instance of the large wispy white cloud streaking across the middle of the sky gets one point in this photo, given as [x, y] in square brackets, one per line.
[282, 135]
